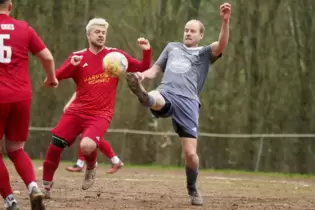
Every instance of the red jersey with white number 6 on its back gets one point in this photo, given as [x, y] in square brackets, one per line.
[17, 38]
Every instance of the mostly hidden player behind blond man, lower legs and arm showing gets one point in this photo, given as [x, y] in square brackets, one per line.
[105, 148]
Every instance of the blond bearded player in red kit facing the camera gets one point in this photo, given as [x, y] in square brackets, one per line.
[91, 112]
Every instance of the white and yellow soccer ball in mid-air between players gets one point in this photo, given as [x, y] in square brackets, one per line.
[115, 63]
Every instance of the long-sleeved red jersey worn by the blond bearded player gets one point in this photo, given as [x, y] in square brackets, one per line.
[96, 90]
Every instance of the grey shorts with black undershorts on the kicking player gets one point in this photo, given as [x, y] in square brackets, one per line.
[184, 113]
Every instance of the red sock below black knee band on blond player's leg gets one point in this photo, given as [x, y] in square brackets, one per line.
[51, 162]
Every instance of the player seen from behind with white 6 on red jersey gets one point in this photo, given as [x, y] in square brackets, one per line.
[17, 39]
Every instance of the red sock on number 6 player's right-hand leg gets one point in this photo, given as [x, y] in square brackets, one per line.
[23, 165]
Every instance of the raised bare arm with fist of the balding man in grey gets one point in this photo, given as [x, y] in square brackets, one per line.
[217, 47]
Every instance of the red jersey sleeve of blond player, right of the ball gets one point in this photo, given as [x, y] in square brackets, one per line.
[135, 65]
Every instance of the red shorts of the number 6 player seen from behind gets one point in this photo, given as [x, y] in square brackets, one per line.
[15, 120]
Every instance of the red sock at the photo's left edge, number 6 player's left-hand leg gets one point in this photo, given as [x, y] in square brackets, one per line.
[5, 187]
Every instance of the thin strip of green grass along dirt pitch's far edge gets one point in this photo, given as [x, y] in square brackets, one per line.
[214, 171]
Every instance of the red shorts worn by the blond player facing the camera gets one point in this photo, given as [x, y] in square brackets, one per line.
[72, 125]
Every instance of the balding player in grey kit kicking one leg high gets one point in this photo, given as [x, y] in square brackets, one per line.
[185, 67]
